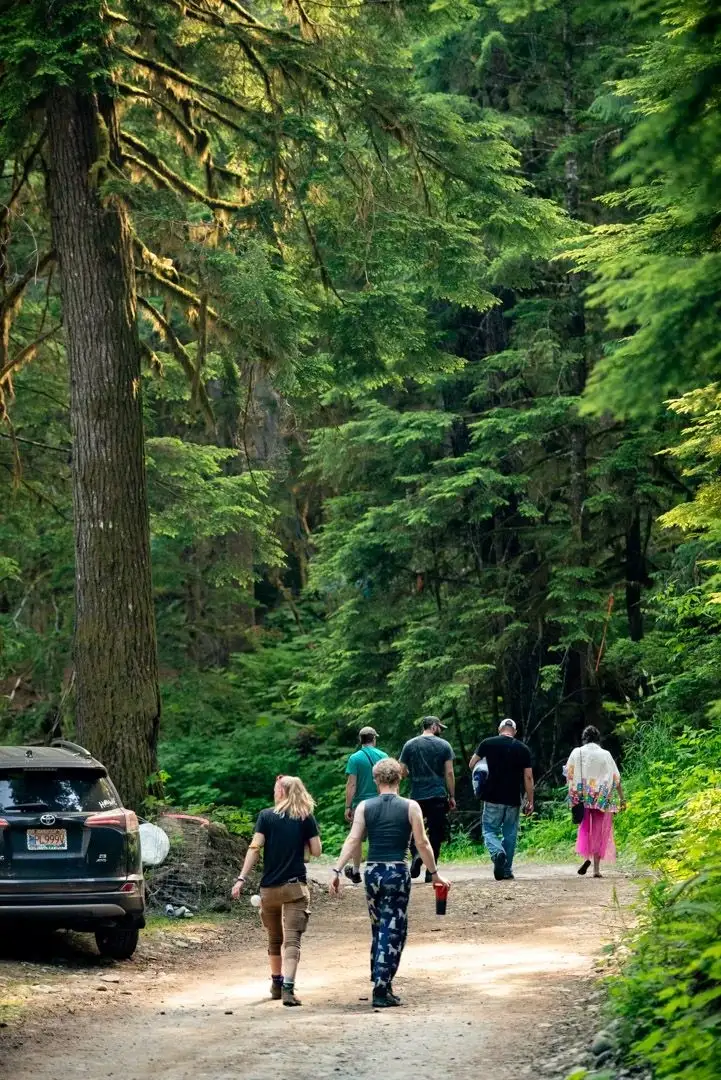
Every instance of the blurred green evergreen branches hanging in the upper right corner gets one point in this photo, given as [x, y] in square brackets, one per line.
[659, 275]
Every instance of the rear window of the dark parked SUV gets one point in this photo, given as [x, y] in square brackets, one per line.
[65, 791]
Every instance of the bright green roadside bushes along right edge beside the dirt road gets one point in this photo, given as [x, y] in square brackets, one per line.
[671, 988]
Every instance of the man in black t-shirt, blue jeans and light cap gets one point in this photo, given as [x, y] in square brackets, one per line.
[509, 772]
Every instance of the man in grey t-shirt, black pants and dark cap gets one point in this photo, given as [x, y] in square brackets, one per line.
[429, 761]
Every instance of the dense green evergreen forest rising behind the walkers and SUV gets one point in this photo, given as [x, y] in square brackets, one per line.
[419, 306]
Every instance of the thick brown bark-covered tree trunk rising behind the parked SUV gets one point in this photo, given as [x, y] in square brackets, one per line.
[117, 696]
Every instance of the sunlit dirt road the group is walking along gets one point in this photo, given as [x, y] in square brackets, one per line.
[488, 990]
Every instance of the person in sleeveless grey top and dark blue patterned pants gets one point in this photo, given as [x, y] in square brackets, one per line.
[389, 822]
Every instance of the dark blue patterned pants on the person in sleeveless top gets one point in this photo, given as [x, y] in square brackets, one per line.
[388, 893]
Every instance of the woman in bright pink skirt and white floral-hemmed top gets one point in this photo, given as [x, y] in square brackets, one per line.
[594, 782]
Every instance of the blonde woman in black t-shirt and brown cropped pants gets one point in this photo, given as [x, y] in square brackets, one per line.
[284, 833]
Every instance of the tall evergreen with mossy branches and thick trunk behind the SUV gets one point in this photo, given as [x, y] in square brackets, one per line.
[206, 145]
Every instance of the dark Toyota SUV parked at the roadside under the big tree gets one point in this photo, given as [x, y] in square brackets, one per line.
[70, 852]
